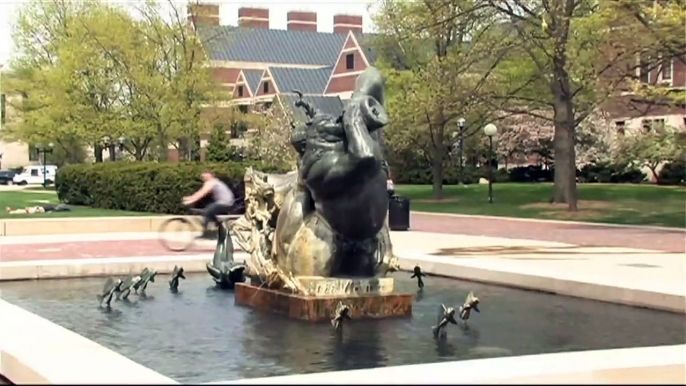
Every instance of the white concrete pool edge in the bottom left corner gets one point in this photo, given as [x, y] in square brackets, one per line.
[34, 350]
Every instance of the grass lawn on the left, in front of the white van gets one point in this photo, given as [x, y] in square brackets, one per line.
[21, 199]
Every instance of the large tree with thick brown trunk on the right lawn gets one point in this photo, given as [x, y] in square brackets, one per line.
[572, 56]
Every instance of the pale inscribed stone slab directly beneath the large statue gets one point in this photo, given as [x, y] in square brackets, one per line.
[330, 286]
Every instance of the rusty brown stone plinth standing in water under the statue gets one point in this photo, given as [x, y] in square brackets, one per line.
[318, 309]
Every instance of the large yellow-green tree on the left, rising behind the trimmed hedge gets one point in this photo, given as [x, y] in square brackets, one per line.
[90, 69]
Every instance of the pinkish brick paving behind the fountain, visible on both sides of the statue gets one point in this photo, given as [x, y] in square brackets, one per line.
[578, 234]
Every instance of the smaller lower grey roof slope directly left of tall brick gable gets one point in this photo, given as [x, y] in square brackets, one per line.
[305, 80]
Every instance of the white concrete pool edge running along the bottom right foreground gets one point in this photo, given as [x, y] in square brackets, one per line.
[657, 365]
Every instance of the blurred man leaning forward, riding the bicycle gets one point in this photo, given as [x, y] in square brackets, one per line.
[222, 200]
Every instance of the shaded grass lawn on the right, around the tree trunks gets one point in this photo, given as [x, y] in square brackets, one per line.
[604, 203]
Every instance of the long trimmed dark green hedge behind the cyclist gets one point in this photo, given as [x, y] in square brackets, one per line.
[145, 186]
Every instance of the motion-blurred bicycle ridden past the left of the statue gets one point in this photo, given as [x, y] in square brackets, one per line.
[179, 233]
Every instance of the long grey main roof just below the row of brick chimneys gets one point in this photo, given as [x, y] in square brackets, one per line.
[270, 45]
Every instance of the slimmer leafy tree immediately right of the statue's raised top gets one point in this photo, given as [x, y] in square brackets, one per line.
[437, 55]
